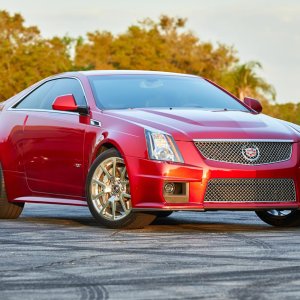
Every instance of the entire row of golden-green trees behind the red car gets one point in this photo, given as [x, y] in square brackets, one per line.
[166, 45]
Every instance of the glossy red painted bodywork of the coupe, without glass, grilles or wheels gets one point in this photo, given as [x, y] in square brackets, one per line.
[46, 155]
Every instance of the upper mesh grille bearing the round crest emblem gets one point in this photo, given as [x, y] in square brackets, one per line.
[260, 152]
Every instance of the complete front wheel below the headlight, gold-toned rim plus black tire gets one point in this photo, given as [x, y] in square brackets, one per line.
[108, 193]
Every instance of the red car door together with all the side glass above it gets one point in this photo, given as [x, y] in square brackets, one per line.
[53, 141]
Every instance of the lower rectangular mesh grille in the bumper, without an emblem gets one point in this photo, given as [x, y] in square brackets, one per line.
[250, 190]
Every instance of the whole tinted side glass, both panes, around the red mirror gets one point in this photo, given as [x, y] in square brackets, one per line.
[44, 96]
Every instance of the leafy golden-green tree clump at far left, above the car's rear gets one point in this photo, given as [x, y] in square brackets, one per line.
[25, 57]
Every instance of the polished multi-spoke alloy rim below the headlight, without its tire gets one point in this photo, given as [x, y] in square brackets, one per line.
[110, 191]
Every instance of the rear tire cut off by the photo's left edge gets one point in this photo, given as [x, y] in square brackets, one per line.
[8, 210]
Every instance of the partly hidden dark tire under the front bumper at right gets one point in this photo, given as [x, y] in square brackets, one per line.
[280, 218]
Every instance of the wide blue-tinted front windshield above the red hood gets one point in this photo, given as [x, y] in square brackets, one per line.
[159, 91]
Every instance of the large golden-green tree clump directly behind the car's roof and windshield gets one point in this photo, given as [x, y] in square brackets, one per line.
[164, 45]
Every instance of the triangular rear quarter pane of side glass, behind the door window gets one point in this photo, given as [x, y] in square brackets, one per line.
[35, 98]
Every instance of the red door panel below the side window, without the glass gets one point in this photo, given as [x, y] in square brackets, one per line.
[44, 147]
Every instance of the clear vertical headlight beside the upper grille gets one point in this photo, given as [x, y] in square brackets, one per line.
[162, 146]
